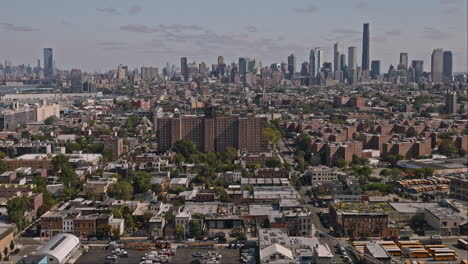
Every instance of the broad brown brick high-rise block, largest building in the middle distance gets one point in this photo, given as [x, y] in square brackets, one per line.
[212, 134]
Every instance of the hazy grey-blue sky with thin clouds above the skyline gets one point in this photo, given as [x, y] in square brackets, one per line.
[98, 35]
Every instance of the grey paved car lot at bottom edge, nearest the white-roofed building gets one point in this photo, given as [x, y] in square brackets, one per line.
[184, 255]
